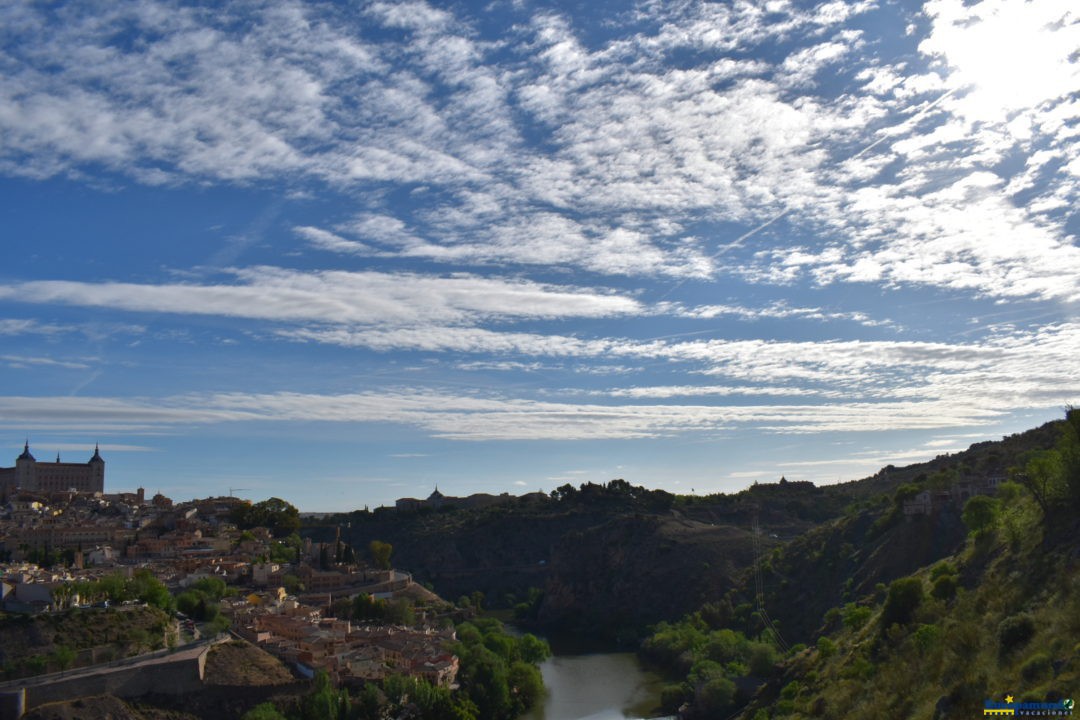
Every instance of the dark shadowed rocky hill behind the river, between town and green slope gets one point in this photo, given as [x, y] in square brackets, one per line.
[611, 560]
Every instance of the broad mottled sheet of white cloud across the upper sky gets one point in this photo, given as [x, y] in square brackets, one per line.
[622, 140]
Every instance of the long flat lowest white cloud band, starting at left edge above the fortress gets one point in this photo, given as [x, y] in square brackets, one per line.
[482, 418]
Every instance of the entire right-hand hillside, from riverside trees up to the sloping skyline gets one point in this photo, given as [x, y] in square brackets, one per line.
[927, 617]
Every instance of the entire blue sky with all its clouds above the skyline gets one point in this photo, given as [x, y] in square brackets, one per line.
[343, 253]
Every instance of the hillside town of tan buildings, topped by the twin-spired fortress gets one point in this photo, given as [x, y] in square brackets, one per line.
[280, 590]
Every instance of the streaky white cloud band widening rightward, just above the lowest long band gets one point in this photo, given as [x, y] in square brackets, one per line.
[1005, 372]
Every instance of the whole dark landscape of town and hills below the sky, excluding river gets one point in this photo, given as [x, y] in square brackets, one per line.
[785, 600]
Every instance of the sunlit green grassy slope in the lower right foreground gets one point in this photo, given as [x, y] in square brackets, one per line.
[1000, 618]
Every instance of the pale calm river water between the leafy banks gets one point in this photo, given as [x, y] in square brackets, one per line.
[598, 687]
